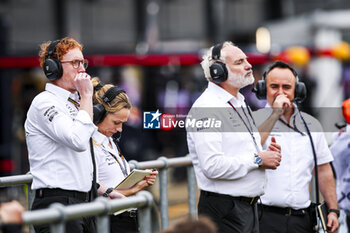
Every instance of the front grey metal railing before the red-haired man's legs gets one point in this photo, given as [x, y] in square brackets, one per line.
[57, 214]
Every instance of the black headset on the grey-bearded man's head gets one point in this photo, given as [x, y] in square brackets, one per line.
[218, 70]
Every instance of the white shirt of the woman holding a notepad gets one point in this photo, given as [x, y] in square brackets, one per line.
[109, 170]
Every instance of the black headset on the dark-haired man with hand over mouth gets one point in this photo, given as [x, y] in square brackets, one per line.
[300, 88]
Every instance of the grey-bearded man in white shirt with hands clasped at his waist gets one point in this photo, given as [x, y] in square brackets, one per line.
[228, 160]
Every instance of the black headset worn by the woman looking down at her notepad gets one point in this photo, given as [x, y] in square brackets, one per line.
[99, 110]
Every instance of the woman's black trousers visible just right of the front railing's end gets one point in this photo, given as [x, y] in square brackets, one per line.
[124, 223]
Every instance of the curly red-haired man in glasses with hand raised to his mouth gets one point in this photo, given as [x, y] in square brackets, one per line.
[58, 128]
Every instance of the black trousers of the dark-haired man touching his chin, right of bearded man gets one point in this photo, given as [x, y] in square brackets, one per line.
[274, 221]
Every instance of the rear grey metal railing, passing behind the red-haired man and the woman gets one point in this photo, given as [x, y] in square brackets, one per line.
[162, 164]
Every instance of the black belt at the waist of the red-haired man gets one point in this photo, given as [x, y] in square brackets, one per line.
[46, 192]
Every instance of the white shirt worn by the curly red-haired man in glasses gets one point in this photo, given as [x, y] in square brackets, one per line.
[57, 136]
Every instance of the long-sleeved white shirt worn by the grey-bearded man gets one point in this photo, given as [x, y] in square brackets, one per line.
[224, 159]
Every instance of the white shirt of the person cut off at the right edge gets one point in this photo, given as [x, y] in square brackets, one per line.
[341, 152]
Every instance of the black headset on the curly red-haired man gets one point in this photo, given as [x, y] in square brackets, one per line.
[52, 66]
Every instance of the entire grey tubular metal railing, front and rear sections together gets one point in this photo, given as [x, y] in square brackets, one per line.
[101, 206]
